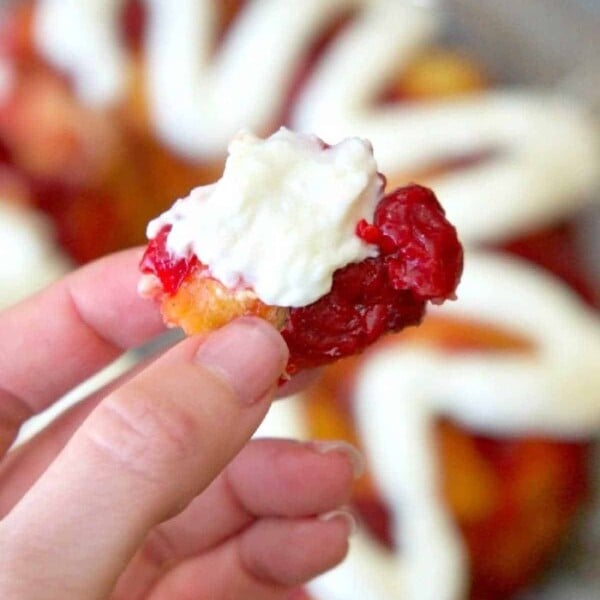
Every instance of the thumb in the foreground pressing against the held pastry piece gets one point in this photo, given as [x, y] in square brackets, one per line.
[140, 457]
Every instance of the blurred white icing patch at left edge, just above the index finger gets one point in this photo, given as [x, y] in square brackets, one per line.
[29, 256]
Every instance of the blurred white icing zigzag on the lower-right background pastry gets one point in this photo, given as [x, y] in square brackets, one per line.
[402, 390]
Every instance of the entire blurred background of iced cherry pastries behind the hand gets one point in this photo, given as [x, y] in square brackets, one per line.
[111, 110]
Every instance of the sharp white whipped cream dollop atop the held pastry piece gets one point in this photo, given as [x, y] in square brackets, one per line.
[282, 219]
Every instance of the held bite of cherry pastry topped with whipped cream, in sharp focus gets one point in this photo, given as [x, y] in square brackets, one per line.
[303, 235]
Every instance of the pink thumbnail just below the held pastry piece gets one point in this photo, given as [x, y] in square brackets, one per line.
[248, 353]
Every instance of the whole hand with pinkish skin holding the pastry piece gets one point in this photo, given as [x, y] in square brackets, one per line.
[150, 489]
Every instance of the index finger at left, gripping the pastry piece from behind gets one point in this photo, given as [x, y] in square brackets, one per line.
[66, 333]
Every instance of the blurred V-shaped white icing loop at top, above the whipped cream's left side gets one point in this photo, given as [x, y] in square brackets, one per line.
[198, 104]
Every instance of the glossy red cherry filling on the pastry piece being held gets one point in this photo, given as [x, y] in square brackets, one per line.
[420, 259]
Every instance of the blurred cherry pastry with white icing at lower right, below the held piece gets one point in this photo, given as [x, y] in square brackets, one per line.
[477, 429]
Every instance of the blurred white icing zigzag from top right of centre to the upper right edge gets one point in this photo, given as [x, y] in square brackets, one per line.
[531, 182]
